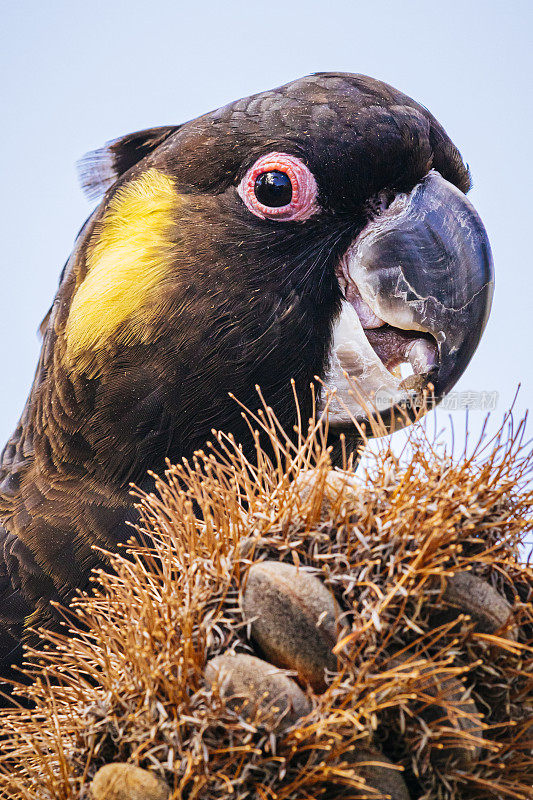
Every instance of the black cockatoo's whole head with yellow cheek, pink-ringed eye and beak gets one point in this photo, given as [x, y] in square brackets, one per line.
[320, 229]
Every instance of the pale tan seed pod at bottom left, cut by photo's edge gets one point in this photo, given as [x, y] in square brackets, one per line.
[122, 781]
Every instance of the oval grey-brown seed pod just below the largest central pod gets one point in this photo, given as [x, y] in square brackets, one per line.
[257, 689]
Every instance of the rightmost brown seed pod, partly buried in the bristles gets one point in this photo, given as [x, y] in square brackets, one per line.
[474, 596]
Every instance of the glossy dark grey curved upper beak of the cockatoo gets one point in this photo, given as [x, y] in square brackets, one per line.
[425, 265]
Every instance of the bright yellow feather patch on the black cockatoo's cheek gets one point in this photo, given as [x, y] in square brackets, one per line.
[127, 260]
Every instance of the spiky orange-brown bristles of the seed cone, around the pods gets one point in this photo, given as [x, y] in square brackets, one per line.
[127, 684]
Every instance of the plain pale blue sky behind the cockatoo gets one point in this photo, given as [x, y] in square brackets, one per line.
[75, 75]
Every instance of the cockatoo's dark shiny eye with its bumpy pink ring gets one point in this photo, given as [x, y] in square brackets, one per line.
[279, 187]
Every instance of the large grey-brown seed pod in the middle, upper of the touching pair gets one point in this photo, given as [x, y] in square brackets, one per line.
[293, 619]
